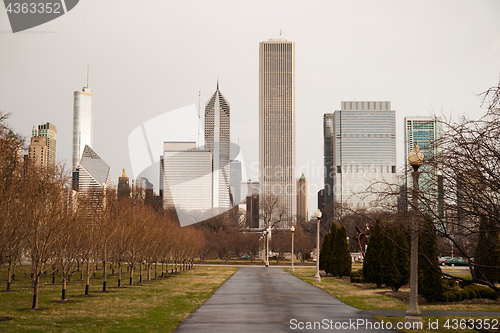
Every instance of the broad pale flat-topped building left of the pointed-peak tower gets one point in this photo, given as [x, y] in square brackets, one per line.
[187, 177]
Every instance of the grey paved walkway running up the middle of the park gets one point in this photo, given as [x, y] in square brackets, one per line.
[259, 299]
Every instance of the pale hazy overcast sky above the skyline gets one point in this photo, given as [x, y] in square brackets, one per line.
[150, 57]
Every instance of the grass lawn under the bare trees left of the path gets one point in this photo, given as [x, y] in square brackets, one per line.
[148, 307]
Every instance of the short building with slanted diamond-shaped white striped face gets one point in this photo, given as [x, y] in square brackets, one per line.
[92, 173]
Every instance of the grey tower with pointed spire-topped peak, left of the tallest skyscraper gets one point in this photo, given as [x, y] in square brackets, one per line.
[217, 140]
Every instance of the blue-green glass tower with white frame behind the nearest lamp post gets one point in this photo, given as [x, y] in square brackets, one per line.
[426, 133]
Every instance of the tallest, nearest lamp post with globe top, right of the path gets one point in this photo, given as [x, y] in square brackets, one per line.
[413, 314]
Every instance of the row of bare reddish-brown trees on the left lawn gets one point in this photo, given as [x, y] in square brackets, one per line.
[45, 226]
